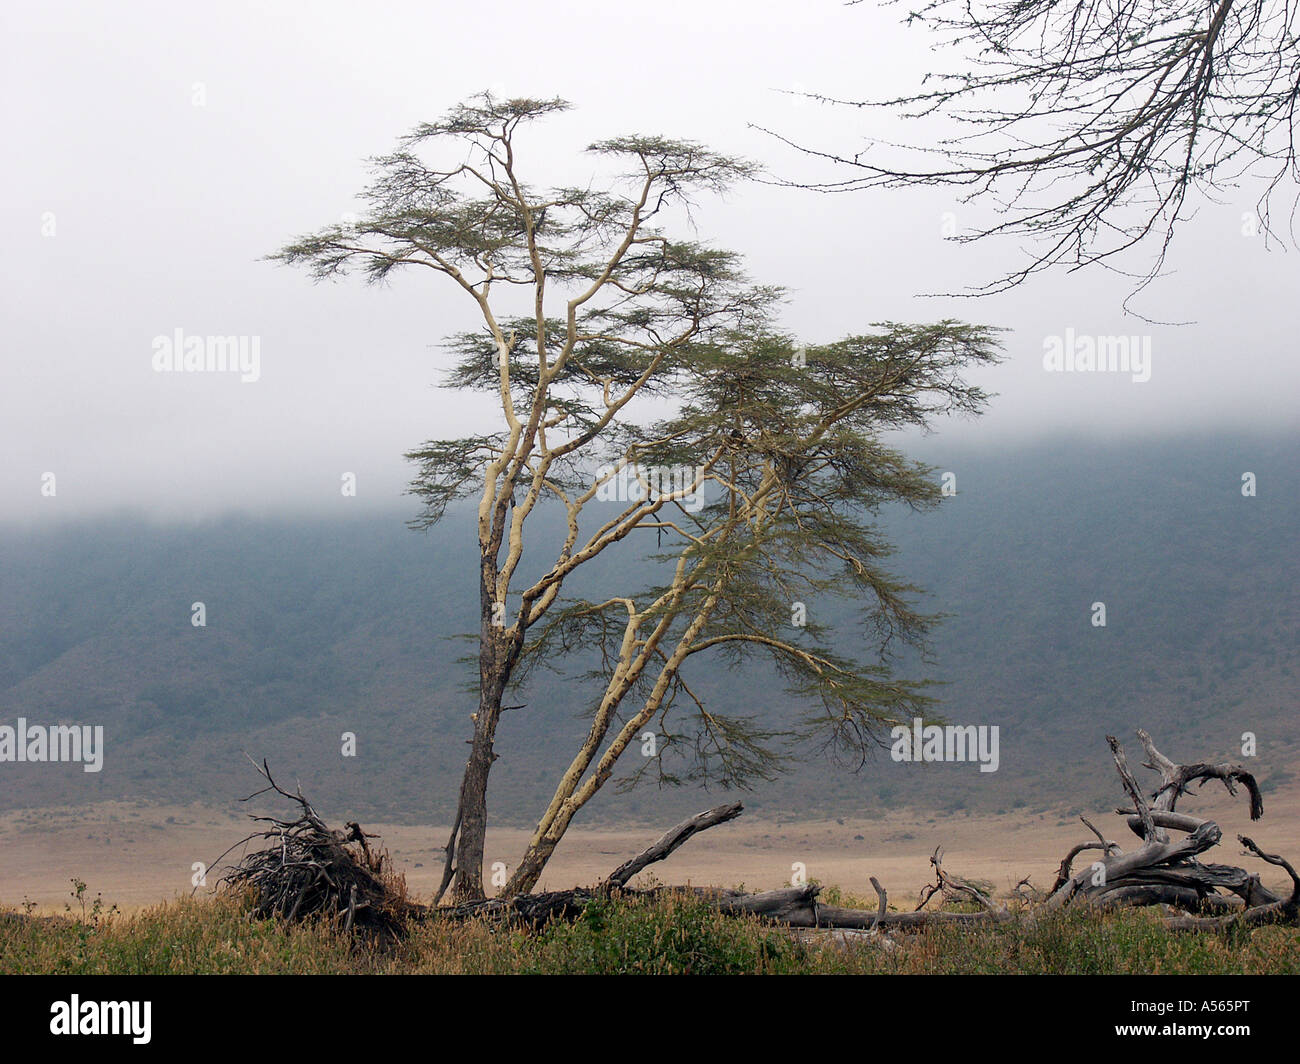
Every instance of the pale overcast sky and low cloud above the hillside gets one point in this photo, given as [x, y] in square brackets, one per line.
[157, 152]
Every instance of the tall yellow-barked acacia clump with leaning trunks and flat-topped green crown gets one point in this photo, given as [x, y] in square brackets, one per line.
[588, 309]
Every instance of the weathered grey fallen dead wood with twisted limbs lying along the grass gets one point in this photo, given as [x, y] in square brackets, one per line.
[1163, 871]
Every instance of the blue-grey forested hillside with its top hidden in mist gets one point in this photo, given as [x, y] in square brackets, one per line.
[318, 628]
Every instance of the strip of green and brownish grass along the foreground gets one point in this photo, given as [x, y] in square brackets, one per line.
[668, 936]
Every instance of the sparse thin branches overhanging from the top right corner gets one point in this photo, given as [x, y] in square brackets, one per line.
[1090, 126]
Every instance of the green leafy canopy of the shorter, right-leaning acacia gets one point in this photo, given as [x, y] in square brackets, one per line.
[798, 430]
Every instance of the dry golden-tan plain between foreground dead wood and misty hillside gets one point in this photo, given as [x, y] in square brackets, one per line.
[141, 855]
